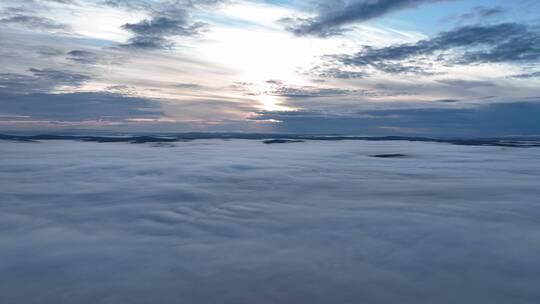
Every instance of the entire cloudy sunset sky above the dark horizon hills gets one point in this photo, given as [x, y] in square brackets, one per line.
[360, 67]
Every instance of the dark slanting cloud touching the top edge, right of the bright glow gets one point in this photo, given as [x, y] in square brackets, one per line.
[335, 14]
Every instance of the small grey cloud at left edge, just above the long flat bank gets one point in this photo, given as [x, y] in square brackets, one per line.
[41, 80]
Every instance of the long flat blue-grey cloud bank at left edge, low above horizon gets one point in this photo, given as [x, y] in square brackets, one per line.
[78, 106]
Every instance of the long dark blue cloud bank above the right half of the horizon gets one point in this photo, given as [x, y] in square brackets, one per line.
[519, 118]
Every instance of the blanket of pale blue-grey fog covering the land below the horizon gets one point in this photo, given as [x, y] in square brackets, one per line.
[238, 221]
